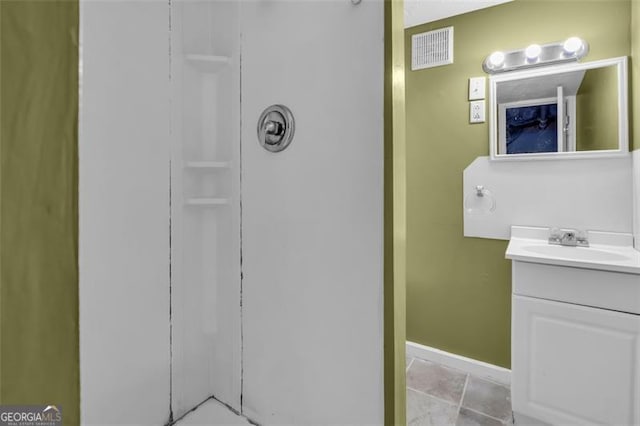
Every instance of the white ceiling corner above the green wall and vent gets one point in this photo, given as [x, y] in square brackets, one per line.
[418, 12]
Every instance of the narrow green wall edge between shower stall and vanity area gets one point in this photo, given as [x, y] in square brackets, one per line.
[394, 216]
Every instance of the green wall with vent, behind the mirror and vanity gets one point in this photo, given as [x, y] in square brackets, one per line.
[459, 289]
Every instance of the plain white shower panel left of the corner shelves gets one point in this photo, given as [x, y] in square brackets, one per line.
[123, 213]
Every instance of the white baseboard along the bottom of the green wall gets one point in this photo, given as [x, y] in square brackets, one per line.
[468, 365]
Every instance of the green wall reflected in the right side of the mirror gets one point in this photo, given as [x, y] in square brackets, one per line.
[597, 110]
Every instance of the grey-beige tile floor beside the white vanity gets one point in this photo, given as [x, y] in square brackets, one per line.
[441, 396]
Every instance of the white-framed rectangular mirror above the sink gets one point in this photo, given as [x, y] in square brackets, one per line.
[560, 111]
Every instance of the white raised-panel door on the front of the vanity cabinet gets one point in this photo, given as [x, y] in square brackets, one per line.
[573, 364]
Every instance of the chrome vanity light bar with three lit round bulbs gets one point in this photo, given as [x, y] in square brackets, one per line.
[572, 49]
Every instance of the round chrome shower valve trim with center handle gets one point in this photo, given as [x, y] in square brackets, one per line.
[276, 128]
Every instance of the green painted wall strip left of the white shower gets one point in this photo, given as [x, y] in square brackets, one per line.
[38, 214]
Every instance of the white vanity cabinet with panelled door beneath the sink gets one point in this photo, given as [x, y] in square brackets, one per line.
[575, 341]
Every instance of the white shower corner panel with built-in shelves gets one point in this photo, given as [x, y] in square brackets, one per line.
[205, 203]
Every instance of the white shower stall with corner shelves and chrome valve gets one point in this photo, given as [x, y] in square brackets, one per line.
[211, 267]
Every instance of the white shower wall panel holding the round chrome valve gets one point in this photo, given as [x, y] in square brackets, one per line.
[312, 215]
